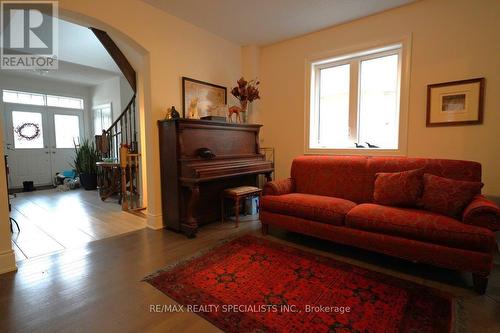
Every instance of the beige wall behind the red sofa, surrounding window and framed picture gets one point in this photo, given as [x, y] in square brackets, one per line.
[451, 40]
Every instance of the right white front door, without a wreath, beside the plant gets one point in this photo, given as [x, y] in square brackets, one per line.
[67, 127]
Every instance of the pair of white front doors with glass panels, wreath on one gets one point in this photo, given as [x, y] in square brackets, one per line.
[40, 142]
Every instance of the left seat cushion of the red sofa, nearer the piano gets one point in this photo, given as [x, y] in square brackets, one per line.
[313, 207]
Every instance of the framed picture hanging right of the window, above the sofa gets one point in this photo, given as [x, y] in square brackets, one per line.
[455, 103]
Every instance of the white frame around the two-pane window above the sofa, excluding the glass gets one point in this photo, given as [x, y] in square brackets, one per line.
[353, 56]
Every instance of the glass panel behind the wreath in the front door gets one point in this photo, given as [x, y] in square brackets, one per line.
[28, 130]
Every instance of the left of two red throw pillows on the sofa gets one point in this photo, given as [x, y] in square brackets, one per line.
[398, 188]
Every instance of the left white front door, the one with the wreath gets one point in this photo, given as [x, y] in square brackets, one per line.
[27, 145]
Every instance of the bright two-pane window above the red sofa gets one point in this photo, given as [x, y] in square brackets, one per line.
[355, 100]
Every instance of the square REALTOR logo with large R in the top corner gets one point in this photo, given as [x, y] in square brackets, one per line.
[29, 34]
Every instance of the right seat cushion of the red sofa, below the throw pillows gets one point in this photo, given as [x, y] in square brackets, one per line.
[420, 225]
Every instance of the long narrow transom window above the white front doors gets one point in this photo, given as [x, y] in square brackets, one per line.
[20, 97]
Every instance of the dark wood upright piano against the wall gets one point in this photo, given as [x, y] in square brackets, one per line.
[198, 160]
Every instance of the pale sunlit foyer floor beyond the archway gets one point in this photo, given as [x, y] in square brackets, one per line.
[52, 221]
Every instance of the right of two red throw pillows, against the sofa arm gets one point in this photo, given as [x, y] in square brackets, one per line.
[448, 196]
